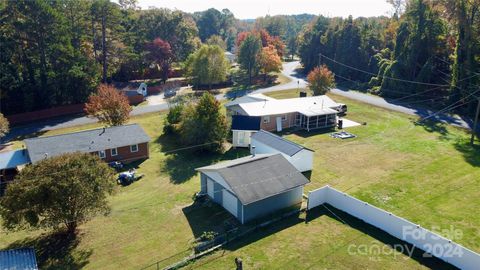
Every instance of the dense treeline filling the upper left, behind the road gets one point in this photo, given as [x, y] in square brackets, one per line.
[57, 52]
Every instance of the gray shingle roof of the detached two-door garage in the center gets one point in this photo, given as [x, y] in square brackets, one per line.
[254, 178]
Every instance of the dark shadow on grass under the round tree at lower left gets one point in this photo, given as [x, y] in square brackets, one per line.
[56, 250]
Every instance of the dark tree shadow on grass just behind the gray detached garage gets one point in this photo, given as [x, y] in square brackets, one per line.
[181, 162]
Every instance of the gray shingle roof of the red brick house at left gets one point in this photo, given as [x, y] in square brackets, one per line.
[85, 141]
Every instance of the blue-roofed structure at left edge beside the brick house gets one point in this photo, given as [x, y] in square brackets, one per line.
[11, 162]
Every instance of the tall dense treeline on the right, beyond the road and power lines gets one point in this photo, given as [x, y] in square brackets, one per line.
[428, 54]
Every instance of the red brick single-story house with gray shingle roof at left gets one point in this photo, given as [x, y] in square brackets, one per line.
[125, 143]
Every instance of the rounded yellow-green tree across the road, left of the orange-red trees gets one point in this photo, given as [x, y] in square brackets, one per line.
[207, 66]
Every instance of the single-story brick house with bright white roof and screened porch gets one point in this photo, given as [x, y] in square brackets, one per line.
[304, 112]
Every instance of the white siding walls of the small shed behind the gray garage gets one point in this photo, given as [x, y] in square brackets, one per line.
[302, 161]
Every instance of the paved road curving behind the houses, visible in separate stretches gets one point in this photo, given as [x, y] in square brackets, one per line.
[288, 70]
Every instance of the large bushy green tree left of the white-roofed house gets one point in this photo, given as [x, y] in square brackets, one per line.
[204, 124]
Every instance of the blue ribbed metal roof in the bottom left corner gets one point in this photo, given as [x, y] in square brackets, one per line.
[22, 258]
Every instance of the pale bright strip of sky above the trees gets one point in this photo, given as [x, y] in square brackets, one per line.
[250, 9]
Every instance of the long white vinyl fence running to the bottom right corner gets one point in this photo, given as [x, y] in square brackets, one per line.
[398, 227]
